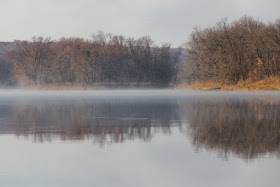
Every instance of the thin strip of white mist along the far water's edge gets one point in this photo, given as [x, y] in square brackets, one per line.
[134, 93]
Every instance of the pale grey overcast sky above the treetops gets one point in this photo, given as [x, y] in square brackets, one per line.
[164, 20]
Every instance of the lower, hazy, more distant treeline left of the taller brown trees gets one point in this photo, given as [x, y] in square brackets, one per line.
[106, 58]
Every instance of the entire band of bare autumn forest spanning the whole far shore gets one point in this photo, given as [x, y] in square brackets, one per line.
[247, 49]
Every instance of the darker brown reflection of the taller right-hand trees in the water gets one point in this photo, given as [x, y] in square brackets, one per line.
[246, 127]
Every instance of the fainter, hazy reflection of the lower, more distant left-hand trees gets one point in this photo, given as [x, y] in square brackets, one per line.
[103, 122]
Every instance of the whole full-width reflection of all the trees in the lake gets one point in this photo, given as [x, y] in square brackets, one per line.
[247, 127]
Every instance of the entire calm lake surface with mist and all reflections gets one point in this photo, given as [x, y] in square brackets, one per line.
[139, 138]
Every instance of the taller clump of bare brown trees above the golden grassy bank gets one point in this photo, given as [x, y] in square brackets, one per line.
[230, 52]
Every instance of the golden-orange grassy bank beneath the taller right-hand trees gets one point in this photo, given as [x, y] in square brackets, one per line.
[272, 83]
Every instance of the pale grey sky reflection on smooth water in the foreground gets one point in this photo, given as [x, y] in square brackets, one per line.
[165, 161]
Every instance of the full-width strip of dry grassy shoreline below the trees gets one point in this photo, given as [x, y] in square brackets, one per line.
[272, 83]
